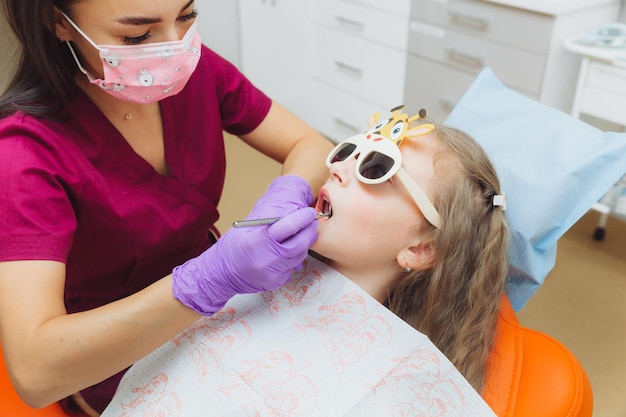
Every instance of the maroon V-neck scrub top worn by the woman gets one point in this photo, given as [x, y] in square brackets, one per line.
[74, 191]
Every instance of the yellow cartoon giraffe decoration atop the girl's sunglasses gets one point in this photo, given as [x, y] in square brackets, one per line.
[396, 127]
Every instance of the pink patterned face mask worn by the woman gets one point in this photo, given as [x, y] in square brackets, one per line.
[144, 73]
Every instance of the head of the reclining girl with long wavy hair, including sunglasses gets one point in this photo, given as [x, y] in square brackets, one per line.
[445, 275]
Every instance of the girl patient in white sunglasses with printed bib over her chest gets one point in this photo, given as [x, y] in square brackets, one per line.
[417, 222]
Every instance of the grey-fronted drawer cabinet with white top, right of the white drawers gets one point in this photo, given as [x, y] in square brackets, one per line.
[451, 41]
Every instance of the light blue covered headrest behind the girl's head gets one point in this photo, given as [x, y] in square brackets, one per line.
[552, 167]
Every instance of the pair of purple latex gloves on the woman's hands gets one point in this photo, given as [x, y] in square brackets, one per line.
[252, 259]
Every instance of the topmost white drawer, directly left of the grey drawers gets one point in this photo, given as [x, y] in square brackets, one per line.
[388, 29]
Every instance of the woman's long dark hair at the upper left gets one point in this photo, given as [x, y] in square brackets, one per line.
[43, 82]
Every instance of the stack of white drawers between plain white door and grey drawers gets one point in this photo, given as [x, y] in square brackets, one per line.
[359, 66]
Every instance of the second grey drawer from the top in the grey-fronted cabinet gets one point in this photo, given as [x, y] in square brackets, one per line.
[518, 68]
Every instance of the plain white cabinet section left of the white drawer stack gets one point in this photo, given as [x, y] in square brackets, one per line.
[276, 49]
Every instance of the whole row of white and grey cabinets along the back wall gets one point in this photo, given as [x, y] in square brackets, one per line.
[336, 62]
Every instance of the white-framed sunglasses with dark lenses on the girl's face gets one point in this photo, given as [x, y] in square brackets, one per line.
[380, 159]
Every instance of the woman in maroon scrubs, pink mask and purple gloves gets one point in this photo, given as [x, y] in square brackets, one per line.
[112, 165]
